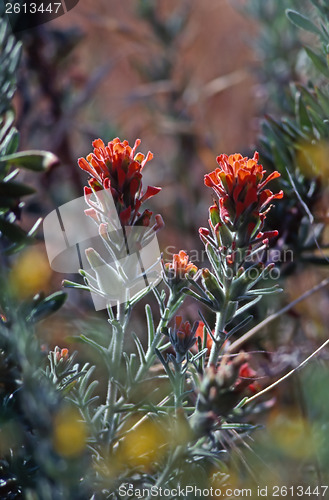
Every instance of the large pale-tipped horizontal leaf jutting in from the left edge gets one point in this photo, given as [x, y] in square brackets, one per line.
[37, 161]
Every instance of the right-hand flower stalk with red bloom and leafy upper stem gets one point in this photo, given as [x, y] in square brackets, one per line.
[235, 238]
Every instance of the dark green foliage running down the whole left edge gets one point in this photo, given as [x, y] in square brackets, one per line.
[31, 463]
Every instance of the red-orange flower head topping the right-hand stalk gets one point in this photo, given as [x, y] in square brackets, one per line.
[243, 200]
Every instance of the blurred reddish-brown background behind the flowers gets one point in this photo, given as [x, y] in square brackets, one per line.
[192, 80]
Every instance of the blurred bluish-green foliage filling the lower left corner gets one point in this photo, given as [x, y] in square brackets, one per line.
[29, 401]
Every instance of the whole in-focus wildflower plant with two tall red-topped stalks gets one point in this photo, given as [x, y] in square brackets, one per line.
[235, 236]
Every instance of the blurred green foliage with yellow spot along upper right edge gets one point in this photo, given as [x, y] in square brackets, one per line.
[296, 144]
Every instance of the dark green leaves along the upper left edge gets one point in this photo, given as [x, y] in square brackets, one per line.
[12, 236]
